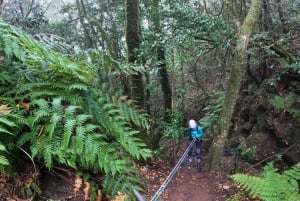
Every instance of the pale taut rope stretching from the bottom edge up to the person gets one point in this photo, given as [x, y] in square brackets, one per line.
[169, 178]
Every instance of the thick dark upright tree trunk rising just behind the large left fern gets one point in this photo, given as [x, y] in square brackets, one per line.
[133, 43]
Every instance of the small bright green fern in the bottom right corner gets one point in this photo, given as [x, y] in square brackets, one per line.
[272, 186]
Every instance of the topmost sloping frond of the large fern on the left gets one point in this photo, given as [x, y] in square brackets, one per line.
[40, 58]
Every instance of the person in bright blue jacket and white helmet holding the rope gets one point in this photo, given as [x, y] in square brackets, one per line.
[194, 131]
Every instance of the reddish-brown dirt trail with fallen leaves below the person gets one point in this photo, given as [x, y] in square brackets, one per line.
[188, 184]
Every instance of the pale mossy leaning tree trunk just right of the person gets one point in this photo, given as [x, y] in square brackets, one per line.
[237, 75]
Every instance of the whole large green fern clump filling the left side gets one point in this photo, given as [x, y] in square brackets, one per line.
[69, 118]
